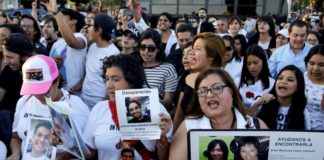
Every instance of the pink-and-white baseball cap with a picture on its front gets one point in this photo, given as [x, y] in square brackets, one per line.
[39, 72]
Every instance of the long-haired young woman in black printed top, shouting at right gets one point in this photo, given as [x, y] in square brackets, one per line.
[287, 109]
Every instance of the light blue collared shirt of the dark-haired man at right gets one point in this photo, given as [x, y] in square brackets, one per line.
[284, 56]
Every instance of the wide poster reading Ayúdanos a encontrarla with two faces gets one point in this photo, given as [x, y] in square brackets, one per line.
[255, 145]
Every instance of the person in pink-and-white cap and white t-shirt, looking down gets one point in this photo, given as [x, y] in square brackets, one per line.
[41, 79]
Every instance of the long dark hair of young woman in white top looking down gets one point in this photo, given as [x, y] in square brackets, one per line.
[264, 75]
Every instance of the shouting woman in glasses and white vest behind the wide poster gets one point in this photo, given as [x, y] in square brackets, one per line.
[216, 104]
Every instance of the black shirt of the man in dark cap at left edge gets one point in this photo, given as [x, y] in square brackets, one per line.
[11, 82]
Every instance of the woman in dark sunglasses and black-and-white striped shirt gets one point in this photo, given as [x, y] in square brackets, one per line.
[159, 74]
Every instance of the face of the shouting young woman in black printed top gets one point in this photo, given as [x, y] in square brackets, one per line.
[286, 84]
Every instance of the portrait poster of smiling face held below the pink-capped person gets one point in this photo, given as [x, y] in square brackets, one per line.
[38, 141]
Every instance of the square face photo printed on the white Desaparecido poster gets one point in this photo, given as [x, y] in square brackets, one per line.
[138, 109]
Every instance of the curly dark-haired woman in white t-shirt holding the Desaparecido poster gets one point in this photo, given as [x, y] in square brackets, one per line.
[102, 134]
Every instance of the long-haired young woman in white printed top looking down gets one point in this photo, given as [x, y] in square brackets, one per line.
[255, 80]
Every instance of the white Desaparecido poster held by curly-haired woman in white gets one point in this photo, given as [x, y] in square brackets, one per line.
[138, 114]
